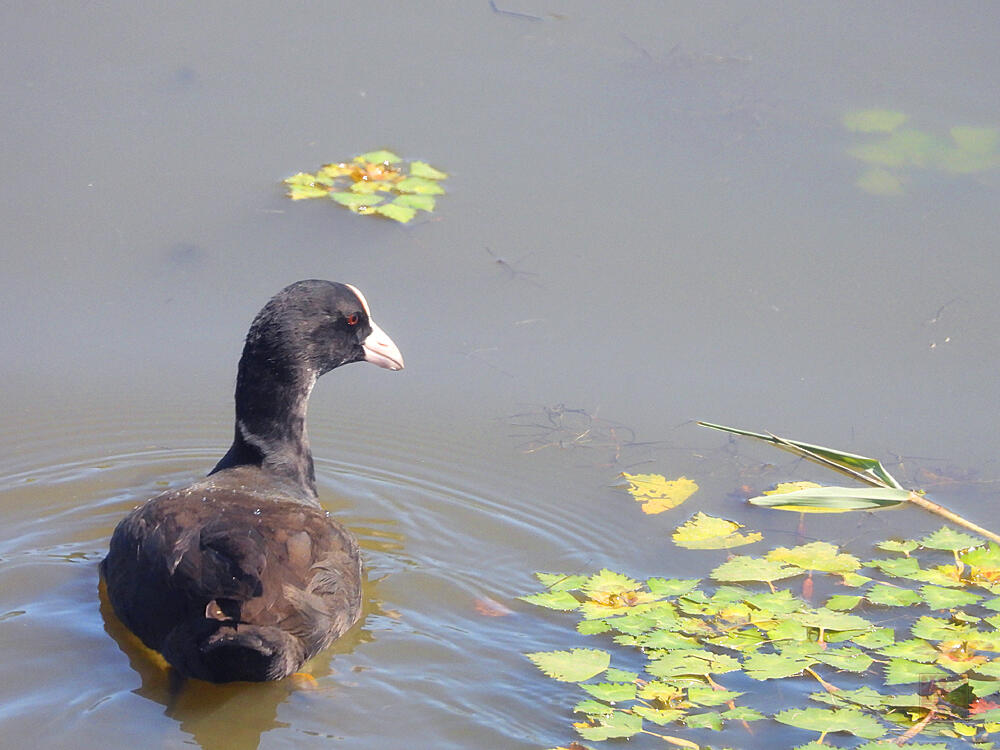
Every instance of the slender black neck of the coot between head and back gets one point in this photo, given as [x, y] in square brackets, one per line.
[272, 397]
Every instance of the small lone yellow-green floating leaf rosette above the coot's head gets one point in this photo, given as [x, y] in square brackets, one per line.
[375, 183]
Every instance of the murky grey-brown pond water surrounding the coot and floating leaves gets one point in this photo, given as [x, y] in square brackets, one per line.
[652, 217]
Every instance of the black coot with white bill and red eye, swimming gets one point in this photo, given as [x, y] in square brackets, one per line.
[242, 575]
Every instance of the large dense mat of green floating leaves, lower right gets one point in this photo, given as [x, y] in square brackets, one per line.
[691, 639]
